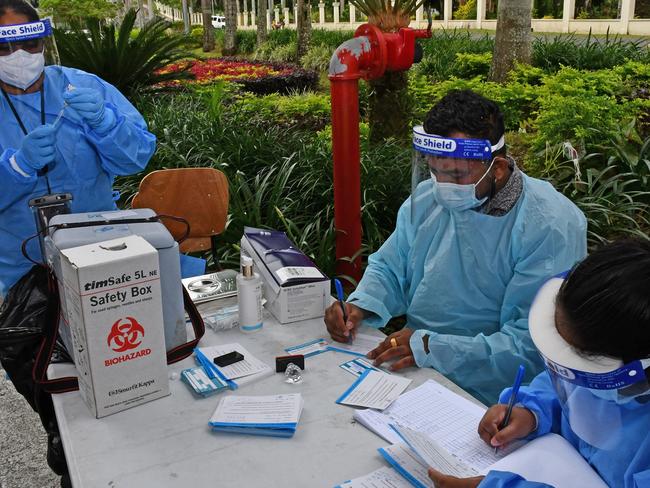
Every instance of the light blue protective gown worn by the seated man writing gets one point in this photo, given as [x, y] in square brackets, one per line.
[467, 280]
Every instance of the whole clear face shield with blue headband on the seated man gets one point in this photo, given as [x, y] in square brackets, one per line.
[448, 161]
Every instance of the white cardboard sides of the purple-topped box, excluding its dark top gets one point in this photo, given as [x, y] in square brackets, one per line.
[290, 303]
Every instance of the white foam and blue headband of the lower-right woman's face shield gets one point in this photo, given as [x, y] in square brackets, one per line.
[567, 364]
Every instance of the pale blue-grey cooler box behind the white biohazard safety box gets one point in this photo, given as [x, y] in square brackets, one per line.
[114, 225]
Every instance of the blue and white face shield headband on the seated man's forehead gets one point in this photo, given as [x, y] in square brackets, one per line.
[449, 147]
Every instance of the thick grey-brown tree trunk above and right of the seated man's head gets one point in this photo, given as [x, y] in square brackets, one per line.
[513, 37]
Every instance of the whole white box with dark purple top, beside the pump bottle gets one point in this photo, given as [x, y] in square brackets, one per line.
[294, 288]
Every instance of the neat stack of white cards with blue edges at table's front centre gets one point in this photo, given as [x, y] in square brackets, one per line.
[274, 415]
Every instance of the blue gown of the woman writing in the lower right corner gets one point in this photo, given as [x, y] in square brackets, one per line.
[627, 465]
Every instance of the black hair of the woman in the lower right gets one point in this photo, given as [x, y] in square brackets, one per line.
[605, 301]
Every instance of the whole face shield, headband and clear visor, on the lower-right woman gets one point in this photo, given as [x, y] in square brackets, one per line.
[594, 391]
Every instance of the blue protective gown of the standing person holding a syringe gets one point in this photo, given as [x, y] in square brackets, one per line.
[86, 162]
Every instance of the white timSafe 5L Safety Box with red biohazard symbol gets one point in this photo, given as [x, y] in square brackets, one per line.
[112, 304]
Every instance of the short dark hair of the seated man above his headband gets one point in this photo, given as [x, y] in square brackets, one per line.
[468, 112]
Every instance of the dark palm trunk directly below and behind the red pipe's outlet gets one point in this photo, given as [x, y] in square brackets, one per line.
[390, 106]
